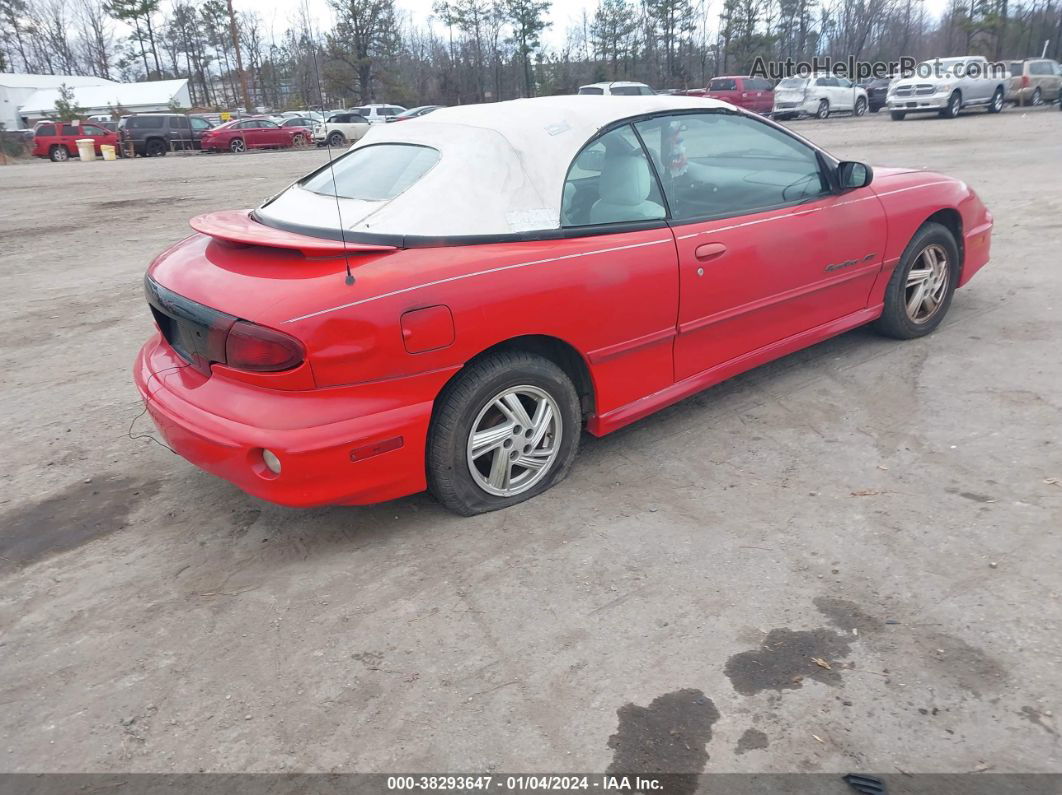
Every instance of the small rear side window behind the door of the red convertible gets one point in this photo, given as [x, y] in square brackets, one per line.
[611, 182]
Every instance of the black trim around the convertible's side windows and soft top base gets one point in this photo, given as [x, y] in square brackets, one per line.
[827, 163]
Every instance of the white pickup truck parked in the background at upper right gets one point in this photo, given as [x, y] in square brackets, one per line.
[947, 87]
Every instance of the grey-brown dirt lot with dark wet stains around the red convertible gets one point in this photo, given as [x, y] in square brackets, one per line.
[892, 509]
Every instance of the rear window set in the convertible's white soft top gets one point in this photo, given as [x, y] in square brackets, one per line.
[374, 174]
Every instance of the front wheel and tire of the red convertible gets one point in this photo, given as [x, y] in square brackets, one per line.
[909, 314]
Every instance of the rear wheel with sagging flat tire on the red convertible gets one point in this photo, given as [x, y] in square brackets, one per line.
[481, 400]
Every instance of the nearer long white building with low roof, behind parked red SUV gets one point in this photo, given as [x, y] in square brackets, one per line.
[136, 98]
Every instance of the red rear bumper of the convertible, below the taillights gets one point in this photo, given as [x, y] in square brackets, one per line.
[327, 440]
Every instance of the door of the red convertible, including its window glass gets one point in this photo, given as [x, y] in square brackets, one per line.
[766, 250]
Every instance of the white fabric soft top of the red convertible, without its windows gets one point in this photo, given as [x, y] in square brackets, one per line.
[502, 168]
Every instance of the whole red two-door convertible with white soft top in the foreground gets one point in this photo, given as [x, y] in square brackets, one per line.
[451, 303]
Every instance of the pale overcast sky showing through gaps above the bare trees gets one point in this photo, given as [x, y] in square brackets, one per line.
[278, 13]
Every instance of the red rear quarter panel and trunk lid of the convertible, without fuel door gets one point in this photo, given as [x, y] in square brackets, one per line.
[612, 298]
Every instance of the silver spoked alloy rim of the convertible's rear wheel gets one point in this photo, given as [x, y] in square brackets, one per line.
[515, 441]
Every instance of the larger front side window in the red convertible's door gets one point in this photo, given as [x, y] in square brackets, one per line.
[716, 165]
